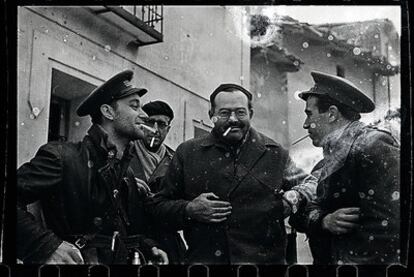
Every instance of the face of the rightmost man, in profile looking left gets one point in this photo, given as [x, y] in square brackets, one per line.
[316, 123]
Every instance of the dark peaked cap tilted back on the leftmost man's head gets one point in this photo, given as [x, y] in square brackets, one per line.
[117, 87]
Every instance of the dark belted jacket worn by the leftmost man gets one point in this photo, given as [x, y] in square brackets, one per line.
[75, 184]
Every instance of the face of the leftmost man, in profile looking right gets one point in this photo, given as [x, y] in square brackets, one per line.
[128, 116]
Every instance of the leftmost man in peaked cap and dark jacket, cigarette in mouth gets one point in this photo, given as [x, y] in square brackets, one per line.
[91, 201]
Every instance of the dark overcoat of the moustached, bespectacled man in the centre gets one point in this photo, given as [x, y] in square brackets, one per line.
[250, 180]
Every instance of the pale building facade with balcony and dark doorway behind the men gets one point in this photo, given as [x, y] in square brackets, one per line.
[180, 54]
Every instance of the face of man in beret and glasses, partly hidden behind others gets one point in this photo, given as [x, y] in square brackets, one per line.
[161, 124]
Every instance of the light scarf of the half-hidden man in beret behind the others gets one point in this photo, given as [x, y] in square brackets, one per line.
[149, 160]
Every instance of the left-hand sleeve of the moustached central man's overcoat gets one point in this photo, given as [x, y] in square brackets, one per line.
[167, 207]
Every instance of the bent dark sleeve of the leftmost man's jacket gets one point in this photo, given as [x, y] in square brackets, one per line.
[35, 180]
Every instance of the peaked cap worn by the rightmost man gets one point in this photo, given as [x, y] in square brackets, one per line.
[341, 90]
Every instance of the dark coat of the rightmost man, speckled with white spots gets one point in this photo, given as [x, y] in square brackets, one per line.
[362, 171]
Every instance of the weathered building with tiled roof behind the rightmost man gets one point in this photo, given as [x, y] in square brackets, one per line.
[367, 53]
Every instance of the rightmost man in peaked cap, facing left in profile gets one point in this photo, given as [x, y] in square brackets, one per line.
[355, 218]
